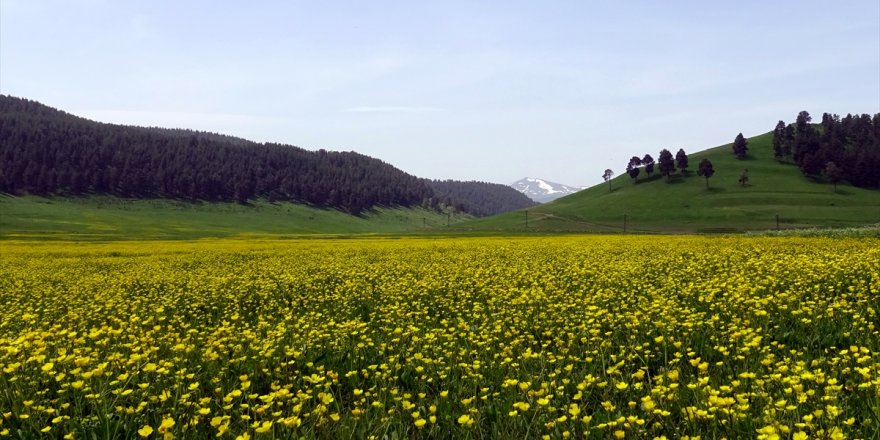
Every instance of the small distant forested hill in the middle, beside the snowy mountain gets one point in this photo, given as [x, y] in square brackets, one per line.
[480, 198]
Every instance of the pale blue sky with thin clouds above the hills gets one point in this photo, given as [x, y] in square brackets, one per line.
[468, 90]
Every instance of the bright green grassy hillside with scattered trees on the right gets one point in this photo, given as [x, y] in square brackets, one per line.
[685, 205]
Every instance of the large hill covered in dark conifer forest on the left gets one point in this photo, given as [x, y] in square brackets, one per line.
[46, 151]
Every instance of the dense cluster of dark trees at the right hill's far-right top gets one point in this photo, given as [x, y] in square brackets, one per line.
[840, 149]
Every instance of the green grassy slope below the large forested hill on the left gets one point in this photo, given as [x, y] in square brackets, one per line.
[107, 218]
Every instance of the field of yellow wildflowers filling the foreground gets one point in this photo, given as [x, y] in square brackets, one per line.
[525, 337]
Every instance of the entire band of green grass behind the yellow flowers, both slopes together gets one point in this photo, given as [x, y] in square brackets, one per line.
[654, 204]
